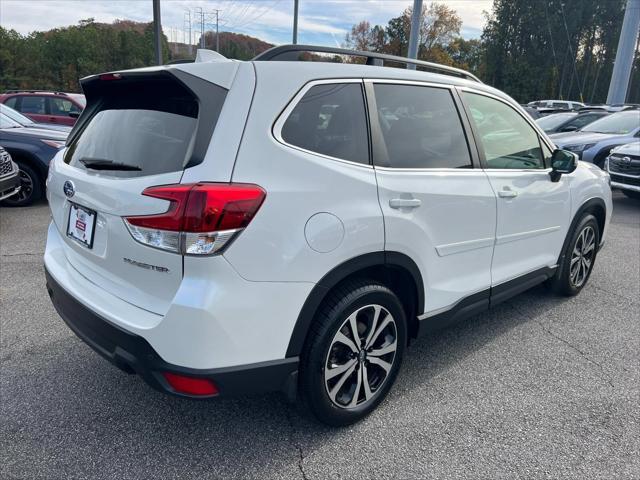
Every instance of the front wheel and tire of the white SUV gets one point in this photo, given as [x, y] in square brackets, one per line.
[578, 259]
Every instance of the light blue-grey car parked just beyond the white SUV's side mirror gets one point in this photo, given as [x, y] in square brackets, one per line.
[594, 142]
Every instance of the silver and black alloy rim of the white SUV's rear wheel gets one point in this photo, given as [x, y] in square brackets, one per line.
[361, 356]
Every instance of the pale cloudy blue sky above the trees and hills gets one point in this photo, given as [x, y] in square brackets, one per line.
[321, 22]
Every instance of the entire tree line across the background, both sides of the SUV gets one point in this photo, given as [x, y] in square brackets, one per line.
[532, 49]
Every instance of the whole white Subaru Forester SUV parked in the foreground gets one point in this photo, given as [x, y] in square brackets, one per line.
[224, 227]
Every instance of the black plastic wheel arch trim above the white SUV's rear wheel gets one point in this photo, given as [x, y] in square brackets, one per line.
[337, 275]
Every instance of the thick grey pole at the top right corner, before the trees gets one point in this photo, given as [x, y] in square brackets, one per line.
[624, 56]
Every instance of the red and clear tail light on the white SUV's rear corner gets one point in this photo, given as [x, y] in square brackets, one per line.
[202, 218]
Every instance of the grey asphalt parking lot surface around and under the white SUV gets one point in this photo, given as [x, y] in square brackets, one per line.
[540, 387]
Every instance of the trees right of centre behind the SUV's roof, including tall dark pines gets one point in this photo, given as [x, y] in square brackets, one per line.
[532, 49]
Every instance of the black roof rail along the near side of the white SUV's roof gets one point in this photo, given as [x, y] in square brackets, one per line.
[291, 52]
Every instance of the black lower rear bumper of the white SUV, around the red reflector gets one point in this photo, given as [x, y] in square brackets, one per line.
[133, 354]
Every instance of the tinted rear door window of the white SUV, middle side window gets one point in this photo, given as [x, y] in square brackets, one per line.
[421, 128]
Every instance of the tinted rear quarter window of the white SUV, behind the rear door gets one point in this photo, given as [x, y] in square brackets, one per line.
[331, 120]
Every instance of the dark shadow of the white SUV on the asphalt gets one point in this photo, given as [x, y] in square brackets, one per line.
[87, 408]
